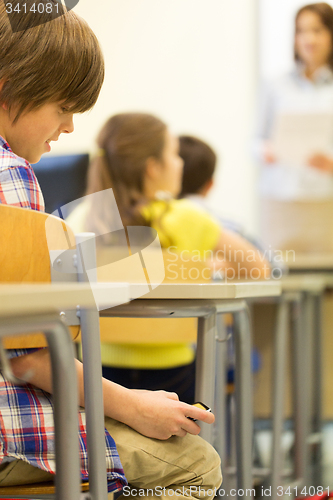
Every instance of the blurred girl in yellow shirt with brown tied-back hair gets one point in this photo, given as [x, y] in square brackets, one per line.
[138, 158]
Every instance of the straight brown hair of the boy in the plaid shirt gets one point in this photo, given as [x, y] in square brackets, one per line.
[57, 61]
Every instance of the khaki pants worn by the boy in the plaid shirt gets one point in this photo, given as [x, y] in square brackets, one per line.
[189, 465]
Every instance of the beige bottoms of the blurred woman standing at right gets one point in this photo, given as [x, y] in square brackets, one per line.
[302, 226]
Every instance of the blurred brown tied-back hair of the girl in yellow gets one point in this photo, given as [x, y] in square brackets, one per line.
[125, 143]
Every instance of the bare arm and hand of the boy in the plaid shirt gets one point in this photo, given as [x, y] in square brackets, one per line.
[156, 414]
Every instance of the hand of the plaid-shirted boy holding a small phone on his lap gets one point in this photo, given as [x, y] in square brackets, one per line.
[160, 415]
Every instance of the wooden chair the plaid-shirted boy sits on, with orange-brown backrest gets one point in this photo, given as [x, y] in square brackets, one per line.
[25, 257]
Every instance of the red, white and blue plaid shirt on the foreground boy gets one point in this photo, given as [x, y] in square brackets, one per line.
[26, 412]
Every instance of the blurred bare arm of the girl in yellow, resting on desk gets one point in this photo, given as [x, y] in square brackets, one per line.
[239, 258]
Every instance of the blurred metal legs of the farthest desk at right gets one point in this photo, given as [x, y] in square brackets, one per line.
[305, 306]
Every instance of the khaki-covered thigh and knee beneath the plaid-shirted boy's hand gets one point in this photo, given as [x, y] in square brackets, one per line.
[148, 462]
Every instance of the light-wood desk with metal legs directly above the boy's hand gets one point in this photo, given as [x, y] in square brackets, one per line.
[206, 301]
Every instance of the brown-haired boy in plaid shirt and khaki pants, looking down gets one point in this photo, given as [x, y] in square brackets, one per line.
[50, 70]
